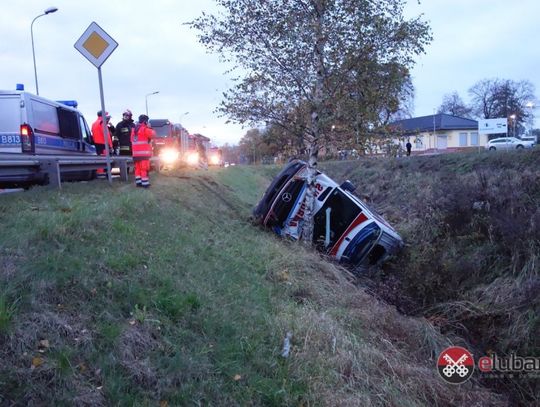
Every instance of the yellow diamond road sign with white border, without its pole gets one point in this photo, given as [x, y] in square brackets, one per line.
[96, 45]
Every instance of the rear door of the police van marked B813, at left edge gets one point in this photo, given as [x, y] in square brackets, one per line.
[10, 123]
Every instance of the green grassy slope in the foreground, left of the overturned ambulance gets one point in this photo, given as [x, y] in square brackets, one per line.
[122, 296]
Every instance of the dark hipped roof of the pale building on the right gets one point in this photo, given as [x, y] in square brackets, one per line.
[437, 122]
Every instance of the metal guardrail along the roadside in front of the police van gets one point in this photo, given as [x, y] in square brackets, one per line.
[34, 166]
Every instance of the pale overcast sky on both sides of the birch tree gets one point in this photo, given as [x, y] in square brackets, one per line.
[473, 40]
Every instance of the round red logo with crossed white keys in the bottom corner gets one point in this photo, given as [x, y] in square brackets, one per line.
[455, 365]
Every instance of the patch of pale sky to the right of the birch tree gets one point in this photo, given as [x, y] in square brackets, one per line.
[475, 40]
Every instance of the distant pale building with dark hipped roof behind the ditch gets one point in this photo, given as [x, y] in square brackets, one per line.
[440, 133]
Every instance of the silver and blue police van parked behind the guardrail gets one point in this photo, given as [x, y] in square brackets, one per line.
[31, 124]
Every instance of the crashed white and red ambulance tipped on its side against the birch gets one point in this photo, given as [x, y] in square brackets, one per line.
[345, 228]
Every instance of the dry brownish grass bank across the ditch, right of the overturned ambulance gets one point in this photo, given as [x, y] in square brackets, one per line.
[471, 223]
